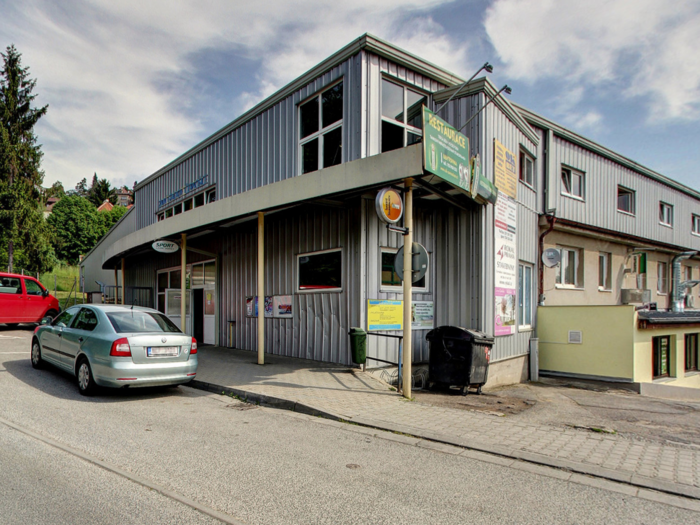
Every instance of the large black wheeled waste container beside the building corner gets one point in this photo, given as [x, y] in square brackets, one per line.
[459, 357]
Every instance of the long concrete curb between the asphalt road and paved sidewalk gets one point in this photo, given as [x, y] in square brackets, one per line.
[628, 478]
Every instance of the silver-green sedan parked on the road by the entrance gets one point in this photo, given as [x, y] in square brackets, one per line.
[115, 346]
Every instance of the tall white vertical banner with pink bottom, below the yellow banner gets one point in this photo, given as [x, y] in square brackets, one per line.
[506, 264]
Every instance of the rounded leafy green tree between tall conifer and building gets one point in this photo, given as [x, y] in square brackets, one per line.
[76, 227]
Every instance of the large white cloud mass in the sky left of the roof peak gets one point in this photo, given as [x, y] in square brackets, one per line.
[101, 65]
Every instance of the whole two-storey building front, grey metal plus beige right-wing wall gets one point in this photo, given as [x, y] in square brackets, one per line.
[312, 158]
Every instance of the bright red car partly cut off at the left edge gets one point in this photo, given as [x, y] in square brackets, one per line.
[24, 300]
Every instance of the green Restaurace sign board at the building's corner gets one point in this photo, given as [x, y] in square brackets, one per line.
[445, 151]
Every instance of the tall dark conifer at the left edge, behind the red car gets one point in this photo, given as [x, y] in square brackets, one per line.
[21, 219]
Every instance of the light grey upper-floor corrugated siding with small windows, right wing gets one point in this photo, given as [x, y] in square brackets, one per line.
[602, 176]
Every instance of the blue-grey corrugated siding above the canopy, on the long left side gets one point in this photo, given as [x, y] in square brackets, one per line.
[261, 151]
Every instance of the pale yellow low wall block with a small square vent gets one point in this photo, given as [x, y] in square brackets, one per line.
[607, 340]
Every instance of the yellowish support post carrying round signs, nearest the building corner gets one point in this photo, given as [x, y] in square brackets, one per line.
[407, 287]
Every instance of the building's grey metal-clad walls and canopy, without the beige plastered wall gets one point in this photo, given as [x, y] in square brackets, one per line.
[255, 164]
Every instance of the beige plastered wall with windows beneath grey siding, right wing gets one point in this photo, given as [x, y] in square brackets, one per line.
[590, 294]
